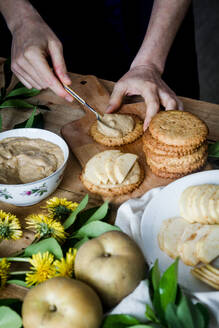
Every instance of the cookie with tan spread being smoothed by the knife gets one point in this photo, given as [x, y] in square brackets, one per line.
[117, 129]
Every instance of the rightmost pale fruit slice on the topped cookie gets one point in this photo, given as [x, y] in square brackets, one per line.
[123, 165]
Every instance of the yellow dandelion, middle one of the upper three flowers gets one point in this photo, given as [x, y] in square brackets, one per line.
[45, 227]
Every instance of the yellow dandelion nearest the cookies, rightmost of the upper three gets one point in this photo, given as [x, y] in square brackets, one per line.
[60, 208]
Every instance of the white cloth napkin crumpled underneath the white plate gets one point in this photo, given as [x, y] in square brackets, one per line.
[129, 220]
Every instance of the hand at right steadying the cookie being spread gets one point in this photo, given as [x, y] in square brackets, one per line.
[144, 80]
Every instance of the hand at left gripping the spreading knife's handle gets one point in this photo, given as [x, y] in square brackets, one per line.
[33, 42]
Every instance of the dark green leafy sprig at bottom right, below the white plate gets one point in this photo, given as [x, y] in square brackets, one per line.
[170, 306]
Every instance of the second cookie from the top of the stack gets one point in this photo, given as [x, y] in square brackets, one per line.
[159, 148]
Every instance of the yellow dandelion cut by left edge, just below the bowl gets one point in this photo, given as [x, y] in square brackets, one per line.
[10, 227]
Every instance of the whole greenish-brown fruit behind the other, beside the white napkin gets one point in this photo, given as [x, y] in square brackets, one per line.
[112, 264]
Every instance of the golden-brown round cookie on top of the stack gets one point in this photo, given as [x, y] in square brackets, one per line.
[178, 128]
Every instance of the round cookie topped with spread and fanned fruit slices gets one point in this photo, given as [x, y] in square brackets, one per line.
[112, 172]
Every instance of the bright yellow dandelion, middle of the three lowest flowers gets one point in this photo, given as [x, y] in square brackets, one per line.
[42, 268]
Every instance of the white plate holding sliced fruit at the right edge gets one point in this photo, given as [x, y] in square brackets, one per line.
[164, 206]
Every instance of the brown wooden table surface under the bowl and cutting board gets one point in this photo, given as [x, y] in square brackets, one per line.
[61, 113]
